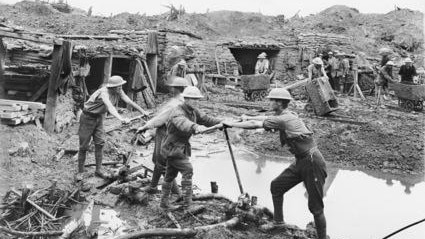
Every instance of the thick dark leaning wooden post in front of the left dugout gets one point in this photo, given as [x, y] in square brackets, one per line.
[55, 70]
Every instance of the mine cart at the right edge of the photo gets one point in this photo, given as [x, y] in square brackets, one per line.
[409, 96]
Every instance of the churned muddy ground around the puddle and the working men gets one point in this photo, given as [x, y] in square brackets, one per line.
[362, 136]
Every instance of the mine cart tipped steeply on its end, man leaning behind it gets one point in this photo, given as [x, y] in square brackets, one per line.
[321, 96]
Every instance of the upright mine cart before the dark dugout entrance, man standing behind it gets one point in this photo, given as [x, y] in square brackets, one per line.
[255, 87]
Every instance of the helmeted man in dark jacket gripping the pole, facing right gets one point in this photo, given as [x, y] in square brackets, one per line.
[184, 121]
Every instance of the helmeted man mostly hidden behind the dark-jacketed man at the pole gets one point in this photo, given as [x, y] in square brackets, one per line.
[177, 85]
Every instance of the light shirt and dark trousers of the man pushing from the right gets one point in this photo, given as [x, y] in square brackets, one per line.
[309, 166]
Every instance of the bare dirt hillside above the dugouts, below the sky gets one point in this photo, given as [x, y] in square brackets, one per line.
[400, 29]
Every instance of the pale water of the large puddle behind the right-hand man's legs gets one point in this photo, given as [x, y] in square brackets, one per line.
[357, 204]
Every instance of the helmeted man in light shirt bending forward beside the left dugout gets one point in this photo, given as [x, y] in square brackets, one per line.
[91, 120]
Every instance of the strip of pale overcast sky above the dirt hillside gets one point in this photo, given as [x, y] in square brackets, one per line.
[267, 7]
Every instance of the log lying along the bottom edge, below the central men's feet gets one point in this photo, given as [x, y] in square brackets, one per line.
[159, 232]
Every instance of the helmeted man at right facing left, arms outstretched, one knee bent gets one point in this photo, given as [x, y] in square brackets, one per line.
[309, 167]
